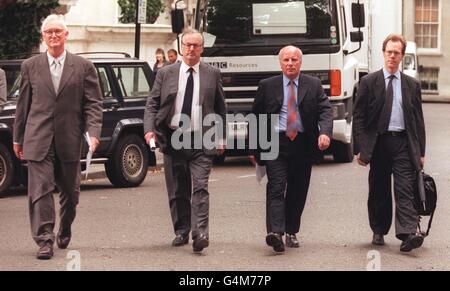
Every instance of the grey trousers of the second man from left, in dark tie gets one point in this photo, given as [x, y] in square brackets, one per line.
[187, 174]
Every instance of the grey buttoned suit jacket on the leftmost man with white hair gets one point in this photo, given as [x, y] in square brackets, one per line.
[44, 116]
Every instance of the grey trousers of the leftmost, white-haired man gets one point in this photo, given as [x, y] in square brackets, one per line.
[43, 177]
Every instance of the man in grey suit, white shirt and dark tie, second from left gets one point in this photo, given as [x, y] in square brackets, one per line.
[184, 94]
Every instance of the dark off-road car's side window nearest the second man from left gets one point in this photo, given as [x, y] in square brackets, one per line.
[132, 81]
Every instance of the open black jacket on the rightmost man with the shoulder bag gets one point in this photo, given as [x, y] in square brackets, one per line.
[369, 104]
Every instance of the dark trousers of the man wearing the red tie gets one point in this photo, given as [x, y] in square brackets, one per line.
[287, 187]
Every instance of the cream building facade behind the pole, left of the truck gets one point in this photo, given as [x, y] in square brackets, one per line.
[94, 26]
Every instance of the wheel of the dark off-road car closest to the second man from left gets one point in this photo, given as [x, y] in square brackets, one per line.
[127, 167]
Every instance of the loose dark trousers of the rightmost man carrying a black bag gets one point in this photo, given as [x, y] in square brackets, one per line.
[391, 157]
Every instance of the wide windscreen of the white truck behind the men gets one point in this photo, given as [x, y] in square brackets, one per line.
[259, 27]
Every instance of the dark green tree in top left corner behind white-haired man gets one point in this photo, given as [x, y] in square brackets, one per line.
[20, 25]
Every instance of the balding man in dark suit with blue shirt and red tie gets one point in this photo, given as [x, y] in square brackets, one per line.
[305, 129]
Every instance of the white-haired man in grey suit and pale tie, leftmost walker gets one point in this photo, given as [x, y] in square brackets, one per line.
[59, 101]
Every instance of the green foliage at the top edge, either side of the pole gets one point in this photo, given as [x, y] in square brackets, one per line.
[128, 8]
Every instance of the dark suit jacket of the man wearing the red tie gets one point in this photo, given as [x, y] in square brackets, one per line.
[314, 107]
